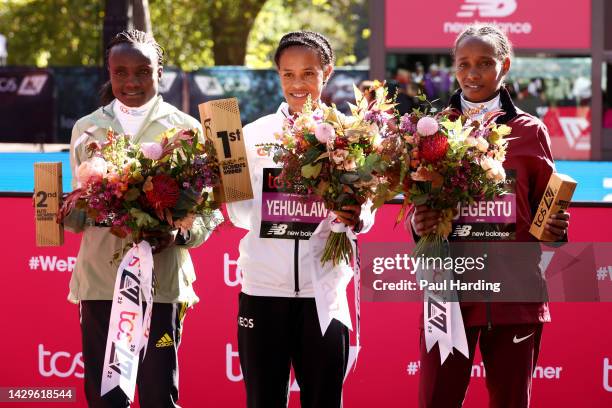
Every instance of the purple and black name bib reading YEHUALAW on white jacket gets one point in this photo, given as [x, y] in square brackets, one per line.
[285, 214]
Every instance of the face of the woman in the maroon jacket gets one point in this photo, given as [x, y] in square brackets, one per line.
[479, 71]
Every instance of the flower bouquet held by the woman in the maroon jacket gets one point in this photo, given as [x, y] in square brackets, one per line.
[449, 159]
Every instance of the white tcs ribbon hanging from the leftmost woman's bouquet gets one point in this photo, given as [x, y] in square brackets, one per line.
[128, 330]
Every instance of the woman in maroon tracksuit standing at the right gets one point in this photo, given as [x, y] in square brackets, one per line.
[509, 333]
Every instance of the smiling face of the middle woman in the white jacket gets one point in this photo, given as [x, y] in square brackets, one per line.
[301, 74]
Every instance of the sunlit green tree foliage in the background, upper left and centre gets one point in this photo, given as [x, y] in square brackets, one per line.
[194, 33]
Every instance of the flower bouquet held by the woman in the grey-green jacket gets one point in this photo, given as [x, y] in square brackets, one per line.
[137, 188]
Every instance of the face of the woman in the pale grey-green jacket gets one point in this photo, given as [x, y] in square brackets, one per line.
[134, 73]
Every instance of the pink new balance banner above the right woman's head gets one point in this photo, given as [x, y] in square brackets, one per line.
[415, 24]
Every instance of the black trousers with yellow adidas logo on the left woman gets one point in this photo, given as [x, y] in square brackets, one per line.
[157, 379]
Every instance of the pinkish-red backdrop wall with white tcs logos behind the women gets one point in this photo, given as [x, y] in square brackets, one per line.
[387, 374]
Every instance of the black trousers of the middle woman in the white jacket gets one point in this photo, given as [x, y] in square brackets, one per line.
[275, 333]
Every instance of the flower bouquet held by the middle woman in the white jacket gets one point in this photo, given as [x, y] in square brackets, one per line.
[336, 157]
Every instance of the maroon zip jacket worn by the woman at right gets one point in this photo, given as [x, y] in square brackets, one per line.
[529, 157]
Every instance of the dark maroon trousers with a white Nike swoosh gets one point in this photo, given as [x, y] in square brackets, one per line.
[509, 354]
